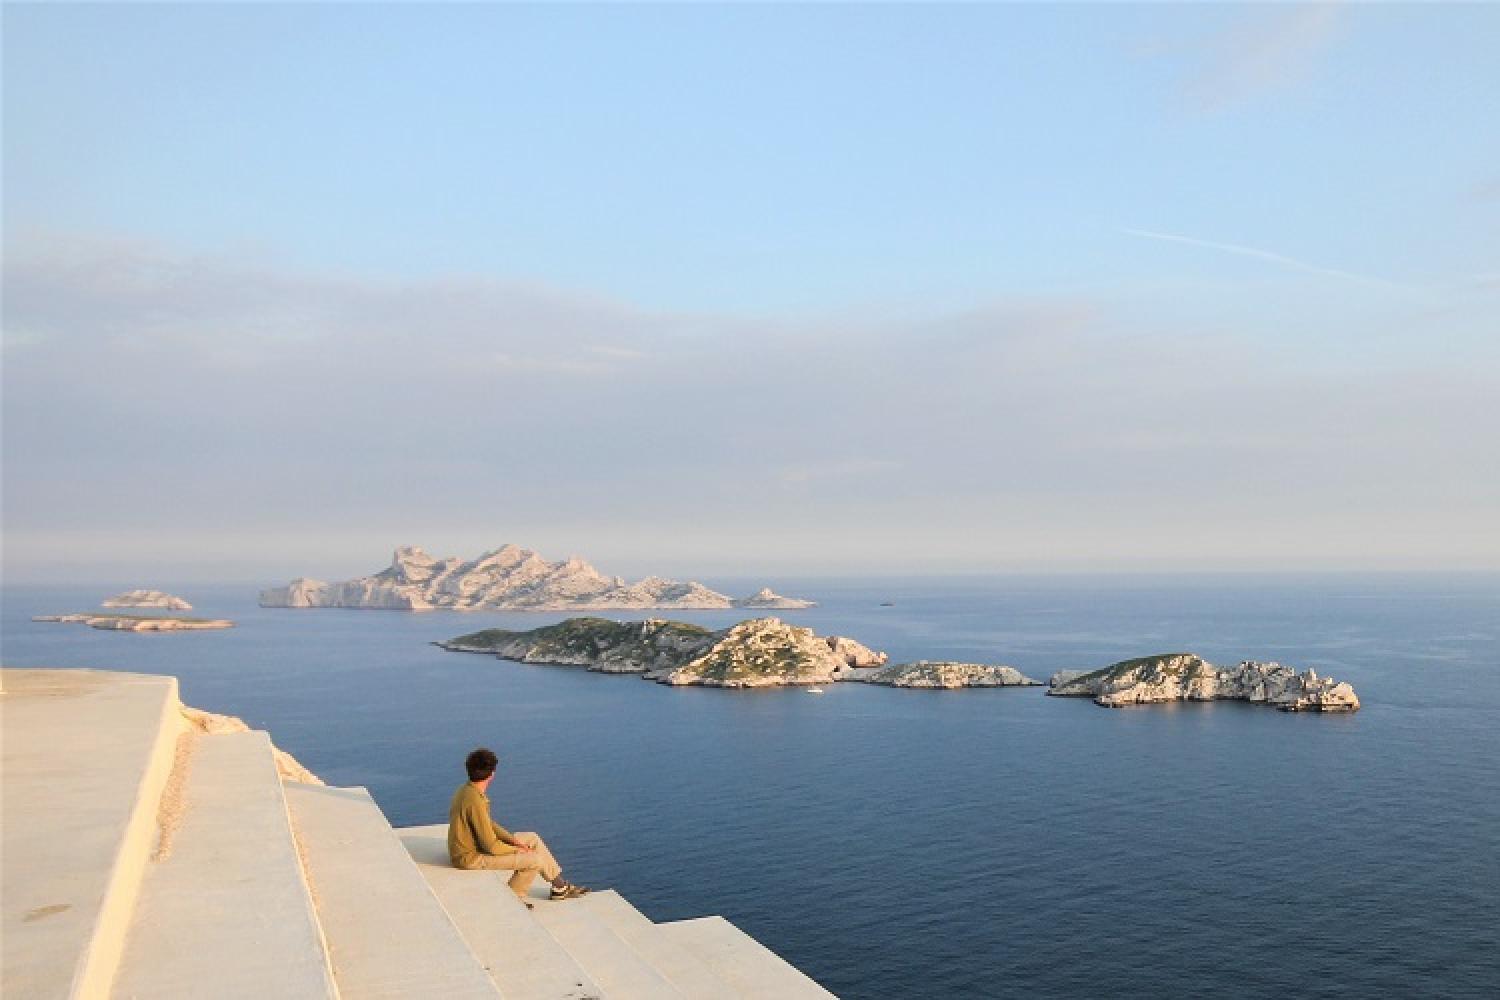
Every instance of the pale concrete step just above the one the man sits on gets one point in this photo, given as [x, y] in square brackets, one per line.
[388, 935]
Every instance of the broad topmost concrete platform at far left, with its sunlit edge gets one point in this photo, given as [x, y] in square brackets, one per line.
[86, 758]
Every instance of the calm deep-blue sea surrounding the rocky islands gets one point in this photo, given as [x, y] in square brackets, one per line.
[937, 845]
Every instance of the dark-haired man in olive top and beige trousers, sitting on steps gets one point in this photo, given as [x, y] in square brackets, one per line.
[476, 842]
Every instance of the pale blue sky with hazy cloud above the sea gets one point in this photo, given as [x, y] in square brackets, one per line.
[751, 290]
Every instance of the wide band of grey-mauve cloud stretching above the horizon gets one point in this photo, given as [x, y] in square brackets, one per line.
[487, 407]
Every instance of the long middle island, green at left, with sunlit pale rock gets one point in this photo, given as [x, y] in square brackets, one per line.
[752, 654]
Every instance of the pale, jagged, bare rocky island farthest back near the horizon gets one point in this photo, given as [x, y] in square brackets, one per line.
[506, 579]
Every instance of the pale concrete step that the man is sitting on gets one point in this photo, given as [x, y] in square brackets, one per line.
[518, 953]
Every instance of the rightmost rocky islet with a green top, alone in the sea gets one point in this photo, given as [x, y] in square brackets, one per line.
[1184, 677]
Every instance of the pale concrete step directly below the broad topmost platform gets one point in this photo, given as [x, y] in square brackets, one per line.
[227, 911]
